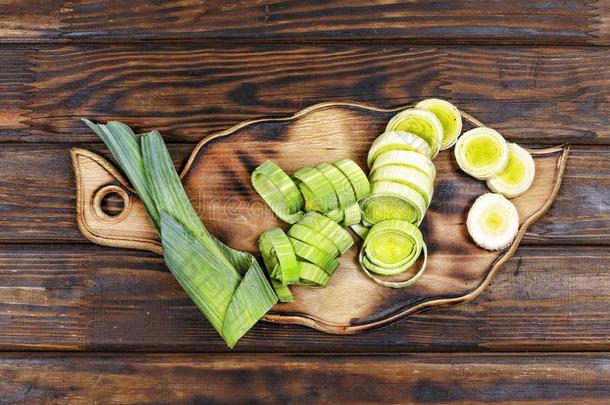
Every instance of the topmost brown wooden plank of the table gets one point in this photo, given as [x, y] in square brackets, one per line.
[447, 21]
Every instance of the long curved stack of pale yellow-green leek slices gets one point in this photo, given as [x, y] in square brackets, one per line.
[402, 185]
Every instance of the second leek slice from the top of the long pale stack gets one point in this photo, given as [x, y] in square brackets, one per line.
[421, 123]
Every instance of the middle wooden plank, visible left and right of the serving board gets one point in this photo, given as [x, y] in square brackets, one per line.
[38, 196]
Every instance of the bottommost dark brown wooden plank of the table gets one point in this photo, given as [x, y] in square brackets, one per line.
[441, 378]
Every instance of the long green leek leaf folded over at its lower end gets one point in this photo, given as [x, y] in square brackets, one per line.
[227, 285]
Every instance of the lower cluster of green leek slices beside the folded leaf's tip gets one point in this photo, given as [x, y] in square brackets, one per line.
[307, 255]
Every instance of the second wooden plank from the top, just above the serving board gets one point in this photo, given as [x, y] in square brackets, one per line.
[531, 94]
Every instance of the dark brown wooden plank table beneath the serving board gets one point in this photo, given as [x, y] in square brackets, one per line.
[84, 324]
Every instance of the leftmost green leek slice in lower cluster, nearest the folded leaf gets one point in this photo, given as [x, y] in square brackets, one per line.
[279, 256]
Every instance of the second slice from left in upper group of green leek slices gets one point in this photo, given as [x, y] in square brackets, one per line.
[317, 191]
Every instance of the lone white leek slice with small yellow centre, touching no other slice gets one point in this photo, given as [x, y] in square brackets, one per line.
[493, 221]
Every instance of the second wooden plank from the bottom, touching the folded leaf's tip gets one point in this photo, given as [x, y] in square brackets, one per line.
[80, 297]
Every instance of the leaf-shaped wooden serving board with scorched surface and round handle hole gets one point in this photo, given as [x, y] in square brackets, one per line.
[217, 180]
